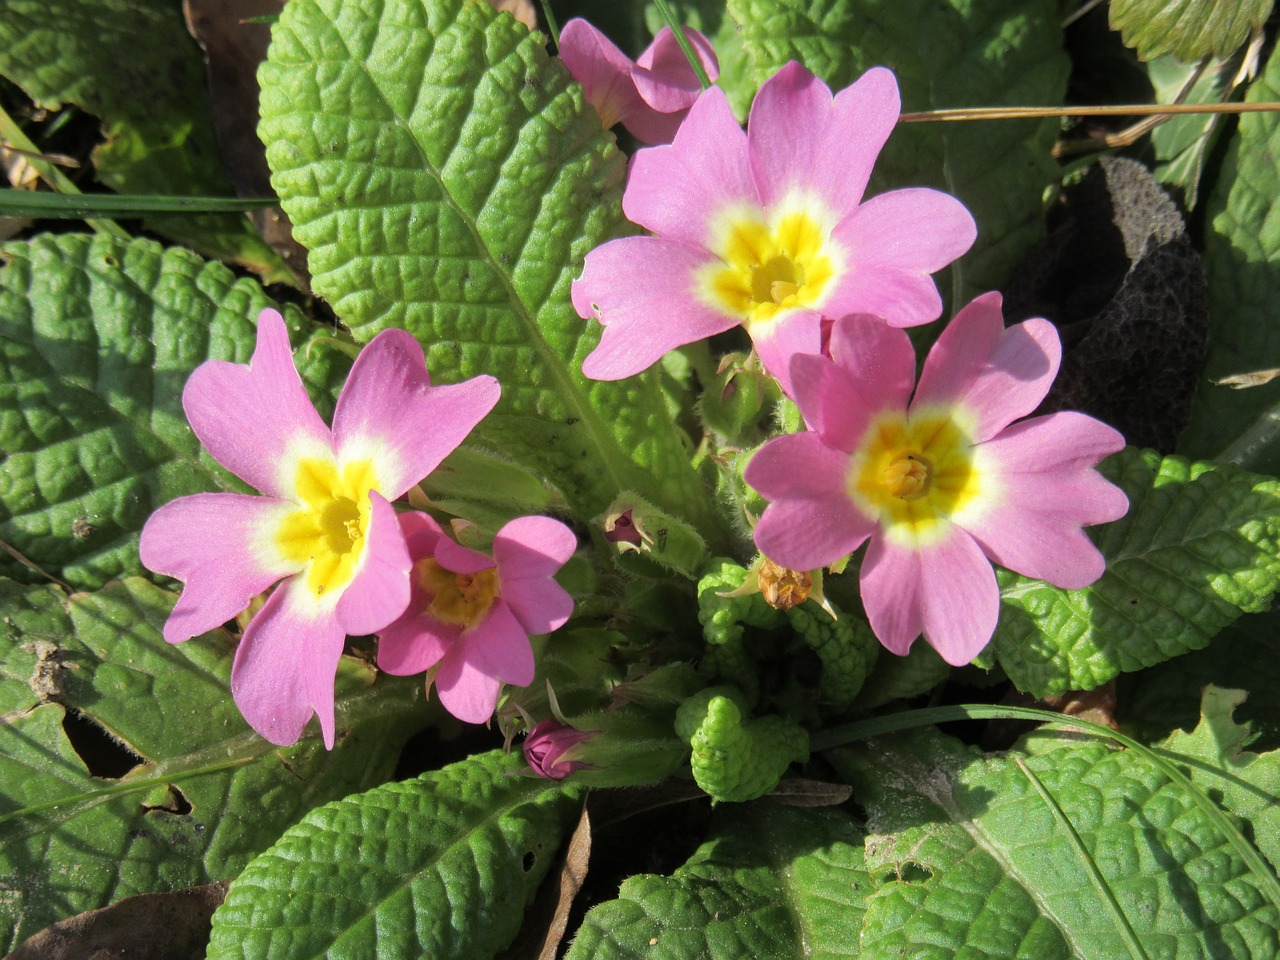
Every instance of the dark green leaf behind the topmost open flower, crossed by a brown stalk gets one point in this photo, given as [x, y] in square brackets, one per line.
[954, 54]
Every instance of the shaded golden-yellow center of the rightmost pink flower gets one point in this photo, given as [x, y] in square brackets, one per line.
[915, 474]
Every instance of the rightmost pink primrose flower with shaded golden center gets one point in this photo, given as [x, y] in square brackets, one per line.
[940, 482]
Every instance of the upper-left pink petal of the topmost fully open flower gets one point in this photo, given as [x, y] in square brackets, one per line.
[678, 191]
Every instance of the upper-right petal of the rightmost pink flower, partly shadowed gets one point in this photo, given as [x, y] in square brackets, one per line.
[996, 376]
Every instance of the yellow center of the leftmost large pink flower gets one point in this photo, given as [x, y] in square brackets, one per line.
[327, 532]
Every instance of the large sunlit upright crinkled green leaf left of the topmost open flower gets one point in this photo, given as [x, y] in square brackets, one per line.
[447, 179]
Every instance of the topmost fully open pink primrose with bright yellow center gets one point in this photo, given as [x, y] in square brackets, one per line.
[769, 230]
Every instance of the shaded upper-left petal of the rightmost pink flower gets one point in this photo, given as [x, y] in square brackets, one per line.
[872, 369]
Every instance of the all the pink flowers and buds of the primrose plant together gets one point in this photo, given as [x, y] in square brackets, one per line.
[769, 230]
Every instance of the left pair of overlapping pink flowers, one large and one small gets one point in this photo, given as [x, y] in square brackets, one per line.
[327, 533]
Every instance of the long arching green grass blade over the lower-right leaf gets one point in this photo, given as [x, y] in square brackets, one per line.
[930, 716]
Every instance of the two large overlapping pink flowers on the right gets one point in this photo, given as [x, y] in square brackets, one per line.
[770, 230]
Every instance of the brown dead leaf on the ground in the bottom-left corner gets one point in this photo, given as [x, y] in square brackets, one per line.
[147, 927]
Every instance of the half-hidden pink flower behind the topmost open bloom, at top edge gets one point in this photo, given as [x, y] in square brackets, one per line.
[650, 97]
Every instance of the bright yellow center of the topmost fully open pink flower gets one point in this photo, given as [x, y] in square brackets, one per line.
[770, 268]
